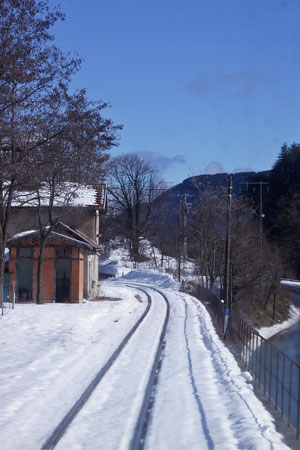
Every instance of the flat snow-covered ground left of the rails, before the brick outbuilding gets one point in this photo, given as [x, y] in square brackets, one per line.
[49, 354]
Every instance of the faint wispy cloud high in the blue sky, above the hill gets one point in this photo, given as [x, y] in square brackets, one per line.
[237, 85]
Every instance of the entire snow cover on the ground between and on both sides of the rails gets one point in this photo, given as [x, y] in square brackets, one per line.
[50, 353]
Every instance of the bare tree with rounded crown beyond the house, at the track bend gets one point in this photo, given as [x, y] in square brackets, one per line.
[133, 186]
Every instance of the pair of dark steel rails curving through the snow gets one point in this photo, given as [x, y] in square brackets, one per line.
[138, 438]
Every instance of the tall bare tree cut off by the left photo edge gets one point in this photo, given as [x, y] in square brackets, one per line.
[31, 70]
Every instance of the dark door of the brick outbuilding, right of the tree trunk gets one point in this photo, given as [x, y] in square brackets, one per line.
[63, 270]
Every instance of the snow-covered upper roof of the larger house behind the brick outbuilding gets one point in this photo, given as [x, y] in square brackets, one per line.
[67, 194]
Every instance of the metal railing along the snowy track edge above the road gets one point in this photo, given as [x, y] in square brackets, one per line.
[273, 371]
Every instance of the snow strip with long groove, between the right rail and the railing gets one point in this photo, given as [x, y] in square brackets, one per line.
[202, 400]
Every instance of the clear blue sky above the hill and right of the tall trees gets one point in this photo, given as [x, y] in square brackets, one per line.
[201, 86]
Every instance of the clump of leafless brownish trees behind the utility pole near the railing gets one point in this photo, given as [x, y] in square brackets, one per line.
[254, 277]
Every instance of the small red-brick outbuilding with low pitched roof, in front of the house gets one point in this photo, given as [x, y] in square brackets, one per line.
[68, 265]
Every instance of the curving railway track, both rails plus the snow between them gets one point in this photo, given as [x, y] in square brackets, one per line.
[121, 358]
